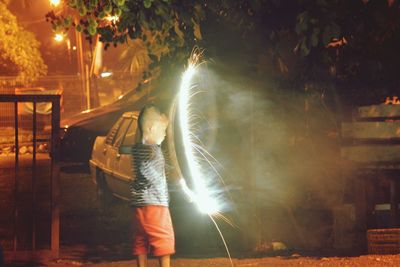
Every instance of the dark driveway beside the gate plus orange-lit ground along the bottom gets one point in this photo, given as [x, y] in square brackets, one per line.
[91, 236]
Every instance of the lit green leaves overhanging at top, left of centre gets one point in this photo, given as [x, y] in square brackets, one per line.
[166, 27]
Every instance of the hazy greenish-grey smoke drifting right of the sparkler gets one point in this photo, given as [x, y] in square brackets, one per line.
[278, 154]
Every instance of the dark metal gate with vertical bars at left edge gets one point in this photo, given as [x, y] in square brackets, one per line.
[30, 185]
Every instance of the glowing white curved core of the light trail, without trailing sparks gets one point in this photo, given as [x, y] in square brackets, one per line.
[201, 195]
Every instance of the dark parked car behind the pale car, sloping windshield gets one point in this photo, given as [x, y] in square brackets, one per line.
[78, 132]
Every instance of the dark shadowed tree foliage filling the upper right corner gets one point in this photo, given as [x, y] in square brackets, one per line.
[351, 44]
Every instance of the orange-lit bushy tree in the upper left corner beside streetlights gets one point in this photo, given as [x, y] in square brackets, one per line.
[19, 50]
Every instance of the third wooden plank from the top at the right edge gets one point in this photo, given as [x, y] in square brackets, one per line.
[371, 153]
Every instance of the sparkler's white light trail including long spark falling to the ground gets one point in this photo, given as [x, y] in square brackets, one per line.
[201, 194]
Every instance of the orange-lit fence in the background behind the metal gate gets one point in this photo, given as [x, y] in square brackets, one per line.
[73, 98]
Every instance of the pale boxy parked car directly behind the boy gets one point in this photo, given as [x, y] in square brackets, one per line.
[111, 162]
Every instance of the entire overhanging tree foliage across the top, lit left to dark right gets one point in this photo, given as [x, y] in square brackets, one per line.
[330, 39]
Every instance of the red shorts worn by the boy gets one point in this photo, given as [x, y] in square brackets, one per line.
[152, 231]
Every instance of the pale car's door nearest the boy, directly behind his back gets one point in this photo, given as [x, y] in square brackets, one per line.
[123, 169]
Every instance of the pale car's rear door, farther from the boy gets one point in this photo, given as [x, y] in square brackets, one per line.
[113, 152]
